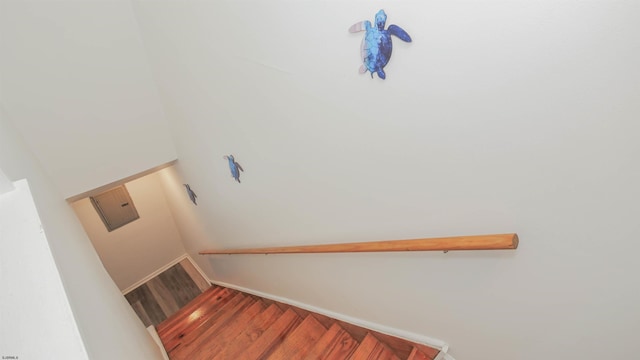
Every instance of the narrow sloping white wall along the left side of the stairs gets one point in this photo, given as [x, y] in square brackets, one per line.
[108, 326]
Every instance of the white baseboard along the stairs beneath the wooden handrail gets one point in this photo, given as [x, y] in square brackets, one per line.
[417, 338]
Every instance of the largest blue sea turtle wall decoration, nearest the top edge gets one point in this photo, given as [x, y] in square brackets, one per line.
[376, 45]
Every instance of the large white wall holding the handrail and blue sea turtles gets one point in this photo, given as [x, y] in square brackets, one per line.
[499, 117]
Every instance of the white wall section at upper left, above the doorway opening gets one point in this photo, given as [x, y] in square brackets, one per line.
[76, 81]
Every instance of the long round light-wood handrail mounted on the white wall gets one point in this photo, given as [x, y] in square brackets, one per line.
[477, 242]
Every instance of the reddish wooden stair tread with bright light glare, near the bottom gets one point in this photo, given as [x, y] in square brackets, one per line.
[193, 324]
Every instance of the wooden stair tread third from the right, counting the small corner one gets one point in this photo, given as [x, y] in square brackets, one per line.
[335, 344]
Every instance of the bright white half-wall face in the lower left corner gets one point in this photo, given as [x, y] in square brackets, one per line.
[35, 308]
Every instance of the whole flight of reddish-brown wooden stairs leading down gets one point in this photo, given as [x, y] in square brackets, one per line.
[223, 323]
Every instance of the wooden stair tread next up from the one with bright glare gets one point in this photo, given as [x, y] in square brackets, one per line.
[216, 341]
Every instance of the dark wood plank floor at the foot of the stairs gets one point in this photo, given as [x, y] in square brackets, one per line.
[165, 294]
